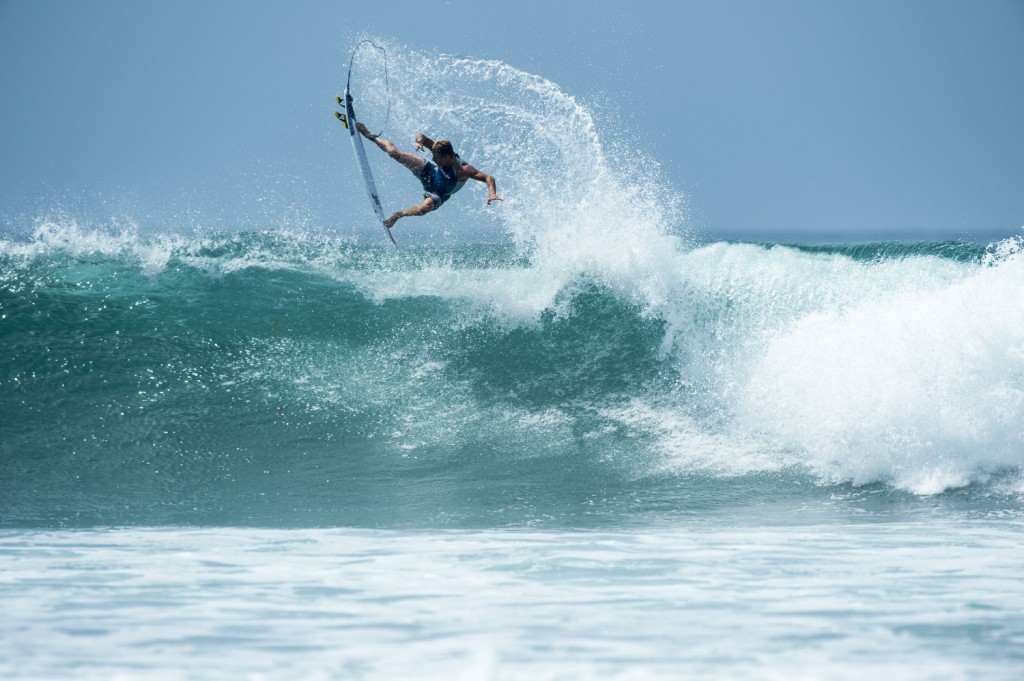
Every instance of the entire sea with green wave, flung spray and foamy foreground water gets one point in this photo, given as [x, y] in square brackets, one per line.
[598, 446]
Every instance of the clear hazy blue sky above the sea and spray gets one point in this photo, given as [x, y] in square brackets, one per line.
[823, 120]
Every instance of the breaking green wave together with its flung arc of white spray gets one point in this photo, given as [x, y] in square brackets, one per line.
[595, 351]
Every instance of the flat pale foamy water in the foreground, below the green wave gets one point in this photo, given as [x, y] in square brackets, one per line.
[893, 601]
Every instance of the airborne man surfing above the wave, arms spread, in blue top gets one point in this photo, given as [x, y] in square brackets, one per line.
[441, 178]
